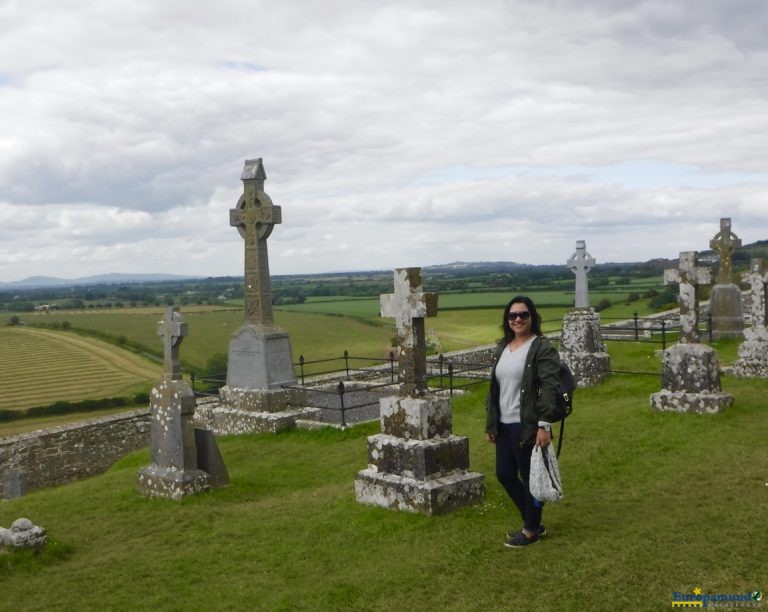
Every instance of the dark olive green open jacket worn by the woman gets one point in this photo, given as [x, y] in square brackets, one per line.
[538, 393]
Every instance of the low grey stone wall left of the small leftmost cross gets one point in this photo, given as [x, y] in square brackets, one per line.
[49, 457]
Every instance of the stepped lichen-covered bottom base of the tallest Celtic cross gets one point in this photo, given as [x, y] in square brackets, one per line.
[253, 411]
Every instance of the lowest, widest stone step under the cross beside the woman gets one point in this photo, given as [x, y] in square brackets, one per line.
[430, 497]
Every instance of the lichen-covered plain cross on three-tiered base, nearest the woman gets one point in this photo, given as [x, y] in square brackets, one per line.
[416, 464]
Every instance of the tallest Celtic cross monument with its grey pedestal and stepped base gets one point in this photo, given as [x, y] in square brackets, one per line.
[260, 361]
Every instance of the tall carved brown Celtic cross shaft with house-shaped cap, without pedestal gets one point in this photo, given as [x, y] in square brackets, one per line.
[254, 217]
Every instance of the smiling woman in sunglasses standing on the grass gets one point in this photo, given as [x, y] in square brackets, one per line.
[520, 409]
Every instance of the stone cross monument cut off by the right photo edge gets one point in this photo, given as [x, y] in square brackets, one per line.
[753, 352]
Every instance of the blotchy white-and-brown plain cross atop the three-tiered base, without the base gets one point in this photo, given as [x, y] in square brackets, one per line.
[409, 305]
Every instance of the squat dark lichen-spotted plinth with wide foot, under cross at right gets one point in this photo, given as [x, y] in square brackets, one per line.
[691, 381]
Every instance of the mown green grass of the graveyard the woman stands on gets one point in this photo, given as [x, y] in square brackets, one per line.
[655, 503]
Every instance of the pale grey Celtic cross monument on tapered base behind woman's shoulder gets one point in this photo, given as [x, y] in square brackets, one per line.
[581, 344]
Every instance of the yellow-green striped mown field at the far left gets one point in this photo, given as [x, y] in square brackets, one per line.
[41, 367]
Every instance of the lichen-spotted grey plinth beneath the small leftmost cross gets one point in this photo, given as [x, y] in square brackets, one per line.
[175, 472]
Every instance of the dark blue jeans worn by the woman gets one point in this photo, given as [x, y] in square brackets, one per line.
[513, 466]
